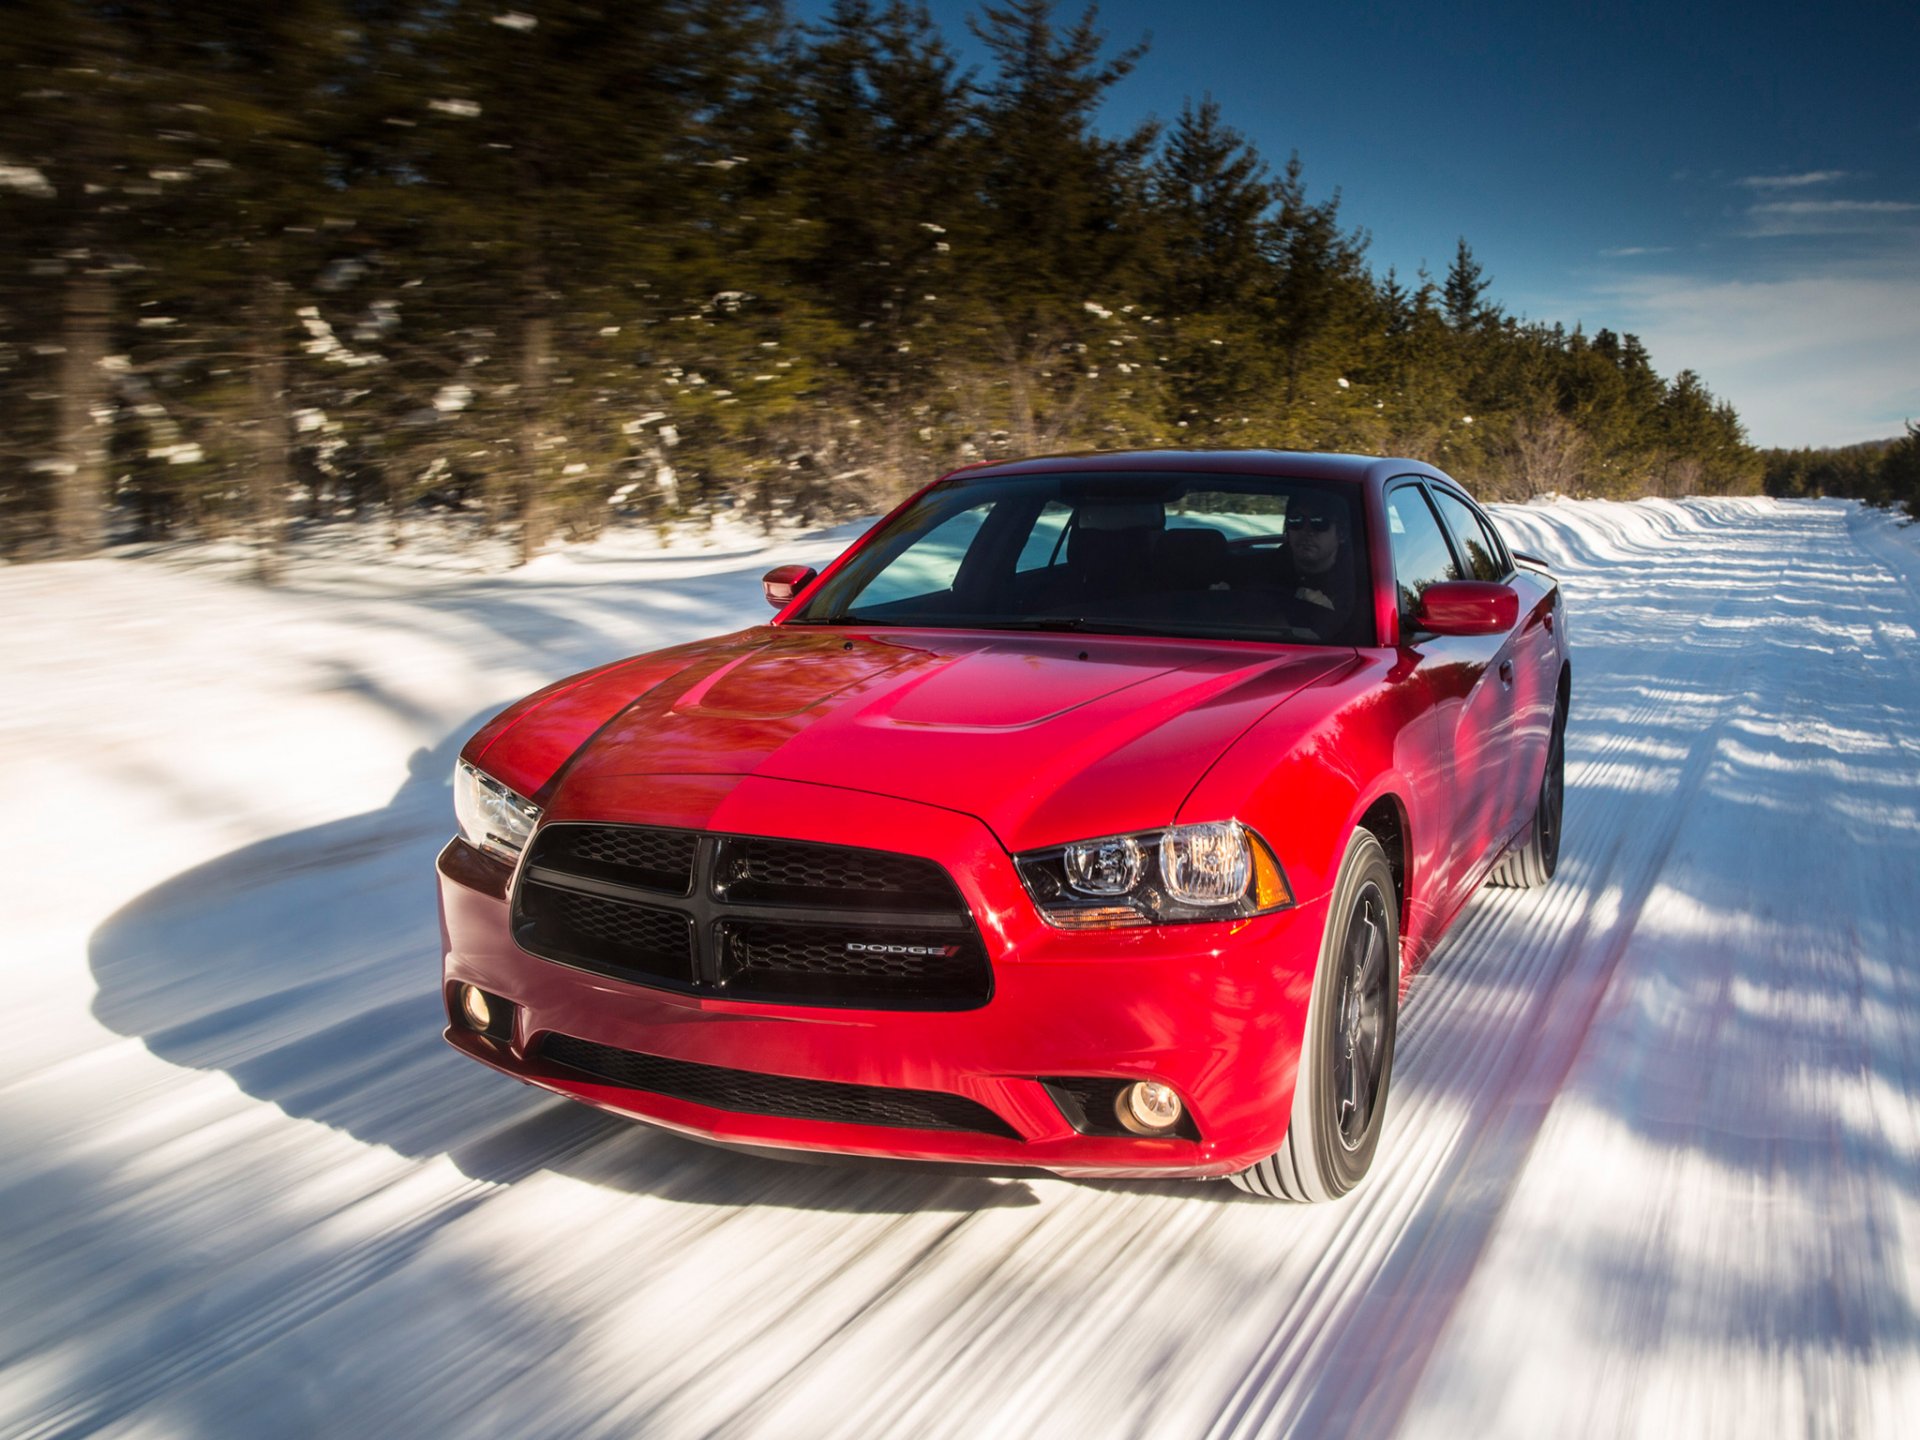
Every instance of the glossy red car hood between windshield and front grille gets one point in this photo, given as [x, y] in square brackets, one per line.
[1044, 738]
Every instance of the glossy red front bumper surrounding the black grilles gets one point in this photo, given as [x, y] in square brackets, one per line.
[1214, 1011]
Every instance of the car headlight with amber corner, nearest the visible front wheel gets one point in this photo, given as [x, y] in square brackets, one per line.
[1218, 871]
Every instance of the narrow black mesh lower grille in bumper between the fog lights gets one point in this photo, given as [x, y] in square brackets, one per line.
[752, 1093]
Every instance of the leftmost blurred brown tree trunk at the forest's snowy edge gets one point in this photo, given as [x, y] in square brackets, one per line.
[85, 410]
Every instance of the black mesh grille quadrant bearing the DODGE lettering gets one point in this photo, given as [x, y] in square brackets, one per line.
[842, 963]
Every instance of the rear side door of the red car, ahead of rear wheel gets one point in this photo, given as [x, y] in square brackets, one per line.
[1524, 665]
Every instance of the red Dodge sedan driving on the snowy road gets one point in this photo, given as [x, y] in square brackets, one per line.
[1088, 815]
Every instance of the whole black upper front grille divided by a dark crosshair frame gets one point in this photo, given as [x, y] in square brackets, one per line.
[752, 919]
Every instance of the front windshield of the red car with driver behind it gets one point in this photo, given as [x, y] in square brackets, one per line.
[1209, 556]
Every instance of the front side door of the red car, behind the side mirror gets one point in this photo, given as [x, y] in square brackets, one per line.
[1462, 688]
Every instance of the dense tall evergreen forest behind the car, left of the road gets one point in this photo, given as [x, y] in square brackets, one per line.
[554, 264]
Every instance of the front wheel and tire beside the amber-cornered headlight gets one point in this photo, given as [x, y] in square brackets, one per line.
[1347, 1053]
